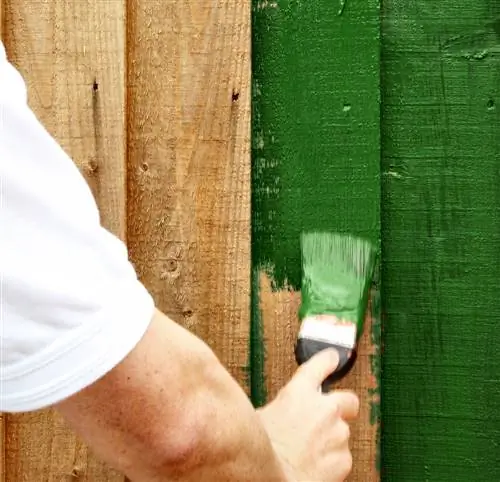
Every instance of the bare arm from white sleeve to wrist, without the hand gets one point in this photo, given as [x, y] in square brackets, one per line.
[170, 411]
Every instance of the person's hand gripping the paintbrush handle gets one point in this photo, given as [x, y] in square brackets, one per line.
[308, 429]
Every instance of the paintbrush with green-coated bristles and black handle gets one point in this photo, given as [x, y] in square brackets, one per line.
[337, 272]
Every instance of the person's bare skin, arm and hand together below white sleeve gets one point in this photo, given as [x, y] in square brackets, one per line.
[171, 412]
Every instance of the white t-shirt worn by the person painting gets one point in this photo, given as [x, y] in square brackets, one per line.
[71, 307]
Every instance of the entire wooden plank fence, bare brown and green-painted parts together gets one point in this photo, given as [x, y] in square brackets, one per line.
[374, 117]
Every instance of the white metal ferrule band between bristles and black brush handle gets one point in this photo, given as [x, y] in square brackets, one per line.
[329, 329]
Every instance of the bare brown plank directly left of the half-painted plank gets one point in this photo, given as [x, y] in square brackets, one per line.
[189, 166]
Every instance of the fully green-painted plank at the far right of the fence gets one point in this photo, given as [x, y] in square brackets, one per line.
[441, 240]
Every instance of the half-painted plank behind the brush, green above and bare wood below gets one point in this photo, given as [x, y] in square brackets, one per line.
[315, 165]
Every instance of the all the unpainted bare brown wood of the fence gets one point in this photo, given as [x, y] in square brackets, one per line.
[152, 101]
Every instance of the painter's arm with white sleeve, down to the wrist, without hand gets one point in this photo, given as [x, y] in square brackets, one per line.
[81, 333]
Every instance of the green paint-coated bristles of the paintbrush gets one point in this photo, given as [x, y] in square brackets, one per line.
[337, 272]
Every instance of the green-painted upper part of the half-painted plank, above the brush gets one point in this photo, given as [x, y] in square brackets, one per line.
[315, 142]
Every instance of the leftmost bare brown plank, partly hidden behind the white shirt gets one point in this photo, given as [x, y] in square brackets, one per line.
[71, 55]
